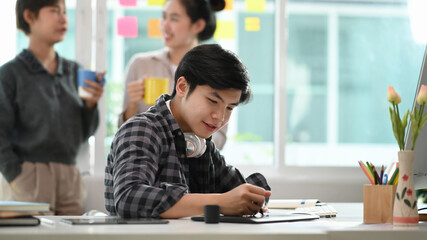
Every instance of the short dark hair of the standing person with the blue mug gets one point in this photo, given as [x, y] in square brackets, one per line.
[32, 5]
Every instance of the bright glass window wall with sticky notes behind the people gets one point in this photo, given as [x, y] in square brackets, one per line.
[319, 72]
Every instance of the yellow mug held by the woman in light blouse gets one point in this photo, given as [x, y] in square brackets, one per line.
[154, 87]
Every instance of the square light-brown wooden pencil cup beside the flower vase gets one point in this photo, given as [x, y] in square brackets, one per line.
[378, 203]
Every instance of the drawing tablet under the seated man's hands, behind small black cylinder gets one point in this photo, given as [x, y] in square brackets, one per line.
[267, 218]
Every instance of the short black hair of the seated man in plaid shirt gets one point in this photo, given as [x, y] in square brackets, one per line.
[211, 65]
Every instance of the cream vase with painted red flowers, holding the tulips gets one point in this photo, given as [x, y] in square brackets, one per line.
[405, 211]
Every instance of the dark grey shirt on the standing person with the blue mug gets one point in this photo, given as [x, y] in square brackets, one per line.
[42, 118]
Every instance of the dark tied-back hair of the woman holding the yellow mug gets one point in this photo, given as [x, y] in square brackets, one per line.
[204, 9]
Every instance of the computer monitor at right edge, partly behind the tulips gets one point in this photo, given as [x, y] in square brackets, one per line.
[420, 162]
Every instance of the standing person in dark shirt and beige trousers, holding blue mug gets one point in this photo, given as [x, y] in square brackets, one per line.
[43, 120]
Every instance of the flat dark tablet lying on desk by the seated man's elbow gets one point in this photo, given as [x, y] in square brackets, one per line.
[112, 220]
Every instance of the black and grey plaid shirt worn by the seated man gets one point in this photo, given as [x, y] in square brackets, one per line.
[148, 171]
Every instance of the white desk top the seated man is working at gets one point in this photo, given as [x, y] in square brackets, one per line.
[347, 225]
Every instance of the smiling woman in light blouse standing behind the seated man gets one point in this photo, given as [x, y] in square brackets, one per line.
[185, 23]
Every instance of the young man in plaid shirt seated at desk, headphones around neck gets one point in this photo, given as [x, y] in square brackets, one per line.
[149, 170]
